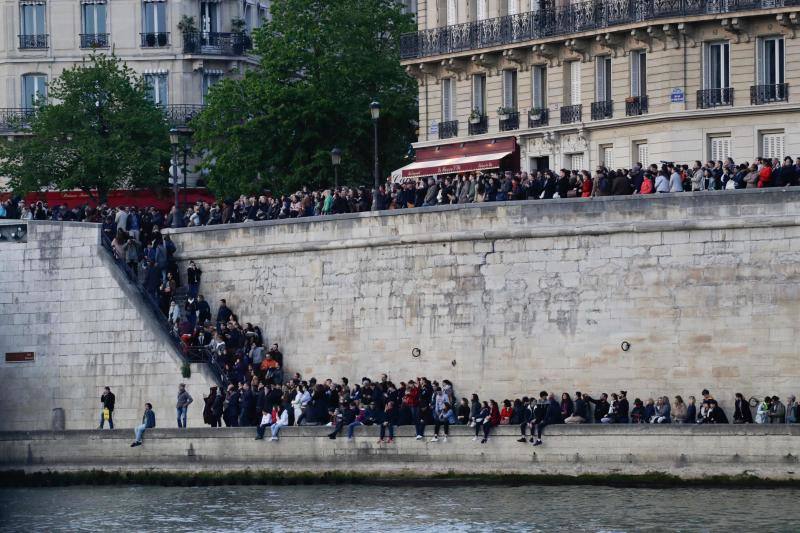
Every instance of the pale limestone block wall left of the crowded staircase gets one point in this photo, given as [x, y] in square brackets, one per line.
[63, 298]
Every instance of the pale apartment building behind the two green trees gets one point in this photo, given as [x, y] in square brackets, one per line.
[41, 38]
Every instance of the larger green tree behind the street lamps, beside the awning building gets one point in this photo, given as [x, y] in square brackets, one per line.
[321, 63]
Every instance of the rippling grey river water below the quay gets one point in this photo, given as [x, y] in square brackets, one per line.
[397, 508]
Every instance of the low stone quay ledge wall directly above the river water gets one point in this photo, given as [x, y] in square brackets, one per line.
[688, 451]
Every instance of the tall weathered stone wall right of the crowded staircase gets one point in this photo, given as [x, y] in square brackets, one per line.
[506, 299]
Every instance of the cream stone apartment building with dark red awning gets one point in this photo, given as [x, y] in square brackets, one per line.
[531, 84]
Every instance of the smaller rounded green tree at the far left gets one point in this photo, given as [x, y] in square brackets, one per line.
[99, 132]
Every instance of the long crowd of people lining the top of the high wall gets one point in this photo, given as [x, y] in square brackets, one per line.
[463, 188]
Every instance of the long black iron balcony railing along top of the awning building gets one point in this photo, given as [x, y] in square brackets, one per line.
[552, 21]
